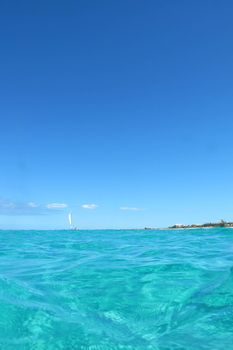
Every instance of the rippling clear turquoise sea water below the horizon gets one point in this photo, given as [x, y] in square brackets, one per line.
[98, 290]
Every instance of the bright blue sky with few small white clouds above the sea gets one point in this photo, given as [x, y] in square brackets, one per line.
[125, 107]
